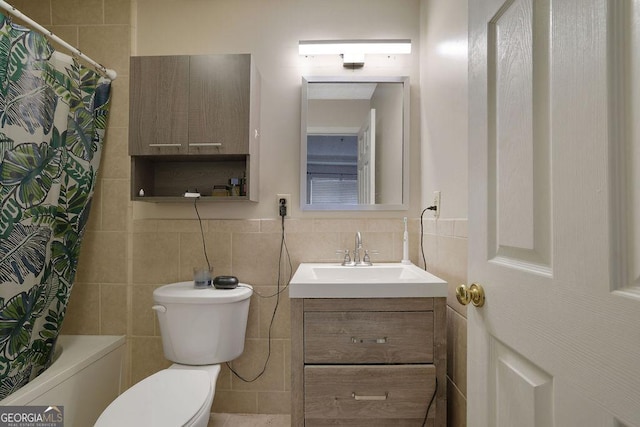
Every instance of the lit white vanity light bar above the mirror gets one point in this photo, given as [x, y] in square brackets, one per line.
[350, 47]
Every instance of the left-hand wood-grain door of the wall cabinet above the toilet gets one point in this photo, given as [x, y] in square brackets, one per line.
[159, 100]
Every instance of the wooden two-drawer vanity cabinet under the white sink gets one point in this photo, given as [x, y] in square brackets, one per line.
[368, 361]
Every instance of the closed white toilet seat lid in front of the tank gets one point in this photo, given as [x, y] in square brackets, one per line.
[169, 398]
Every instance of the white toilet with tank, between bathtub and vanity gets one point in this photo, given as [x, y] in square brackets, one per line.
[200, 329]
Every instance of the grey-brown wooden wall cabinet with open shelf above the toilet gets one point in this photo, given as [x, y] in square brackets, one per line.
[194, 123]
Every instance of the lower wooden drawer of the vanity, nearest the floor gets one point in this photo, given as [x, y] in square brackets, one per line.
[368, 395]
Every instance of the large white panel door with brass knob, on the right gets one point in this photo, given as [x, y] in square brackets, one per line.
[554, 234]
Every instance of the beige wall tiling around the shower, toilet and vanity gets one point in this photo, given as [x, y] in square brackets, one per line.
[123, 260]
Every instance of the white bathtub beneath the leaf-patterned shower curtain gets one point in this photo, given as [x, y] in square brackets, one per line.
[84, 378]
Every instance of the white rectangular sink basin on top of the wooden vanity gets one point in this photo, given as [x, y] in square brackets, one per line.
[383, 280]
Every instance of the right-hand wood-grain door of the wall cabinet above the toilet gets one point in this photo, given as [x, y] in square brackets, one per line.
[219, 104]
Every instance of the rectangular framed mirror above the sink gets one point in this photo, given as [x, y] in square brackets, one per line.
[354, 143]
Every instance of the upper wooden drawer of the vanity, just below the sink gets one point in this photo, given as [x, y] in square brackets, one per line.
[368, 337]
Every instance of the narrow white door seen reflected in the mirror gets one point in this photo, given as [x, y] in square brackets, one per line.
[367, 159]
